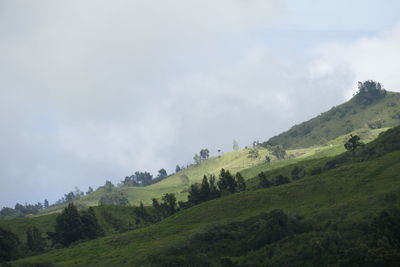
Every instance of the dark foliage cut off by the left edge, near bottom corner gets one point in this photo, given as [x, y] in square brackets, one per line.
[9, 245]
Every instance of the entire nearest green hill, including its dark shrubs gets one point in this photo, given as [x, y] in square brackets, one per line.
[333, 208]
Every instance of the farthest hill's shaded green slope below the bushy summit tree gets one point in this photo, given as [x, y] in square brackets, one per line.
[340, 120]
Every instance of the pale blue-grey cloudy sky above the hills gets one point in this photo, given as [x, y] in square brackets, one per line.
[94, 90]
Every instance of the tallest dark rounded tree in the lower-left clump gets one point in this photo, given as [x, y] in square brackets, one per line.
[69, 226]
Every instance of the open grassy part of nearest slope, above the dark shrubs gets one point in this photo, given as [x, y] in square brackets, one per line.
[348, 195]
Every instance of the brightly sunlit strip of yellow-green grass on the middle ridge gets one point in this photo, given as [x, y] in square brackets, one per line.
[235, 161]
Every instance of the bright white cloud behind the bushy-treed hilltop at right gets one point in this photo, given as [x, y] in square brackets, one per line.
[370, 58]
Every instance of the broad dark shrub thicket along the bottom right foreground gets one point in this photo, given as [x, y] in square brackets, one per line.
[275, 239]
